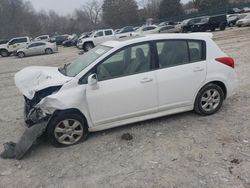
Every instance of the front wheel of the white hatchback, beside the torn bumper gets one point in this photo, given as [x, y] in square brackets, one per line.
[66, 126]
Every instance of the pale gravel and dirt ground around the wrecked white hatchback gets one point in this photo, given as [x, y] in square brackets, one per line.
[183, 150]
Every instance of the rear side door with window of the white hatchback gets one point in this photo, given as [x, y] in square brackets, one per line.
[182, 70]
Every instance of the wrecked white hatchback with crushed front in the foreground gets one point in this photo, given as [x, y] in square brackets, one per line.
[122, 82]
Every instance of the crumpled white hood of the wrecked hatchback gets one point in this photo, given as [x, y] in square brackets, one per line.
[33, 79]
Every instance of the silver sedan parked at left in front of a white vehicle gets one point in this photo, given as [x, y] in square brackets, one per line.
[37, 48]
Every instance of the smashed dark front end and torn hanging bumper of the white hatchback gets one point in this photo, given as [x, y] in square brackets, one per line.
[36, 121]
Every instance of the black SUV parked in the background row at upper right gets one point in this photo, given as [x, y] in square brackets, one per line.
[210, 23]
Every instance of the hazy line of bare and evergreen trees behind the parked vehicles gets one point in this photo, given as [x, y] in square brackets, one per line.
[18, 17]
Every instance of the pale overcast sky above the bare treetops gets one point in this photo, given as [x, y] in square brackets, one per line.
[62, 7]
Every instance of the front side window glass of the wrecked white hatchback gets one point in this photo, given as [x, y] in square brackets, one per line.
[129, 61]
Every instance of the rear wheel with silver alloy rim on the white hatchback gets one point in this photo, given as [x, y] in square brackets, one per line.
[209, 100]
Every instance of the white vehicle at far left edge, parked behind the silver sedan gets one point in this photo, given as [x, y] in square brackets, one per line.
[13, 45]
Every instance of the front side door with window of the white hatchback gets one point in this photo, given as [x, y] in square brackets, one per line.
[127, 87]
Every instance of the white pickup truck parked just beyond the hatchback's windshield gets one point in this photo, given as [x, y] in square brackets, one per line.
[96, 38]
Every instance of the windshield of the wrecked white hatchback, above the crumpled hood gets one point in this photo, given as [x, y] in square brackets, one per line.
[84, 61]
